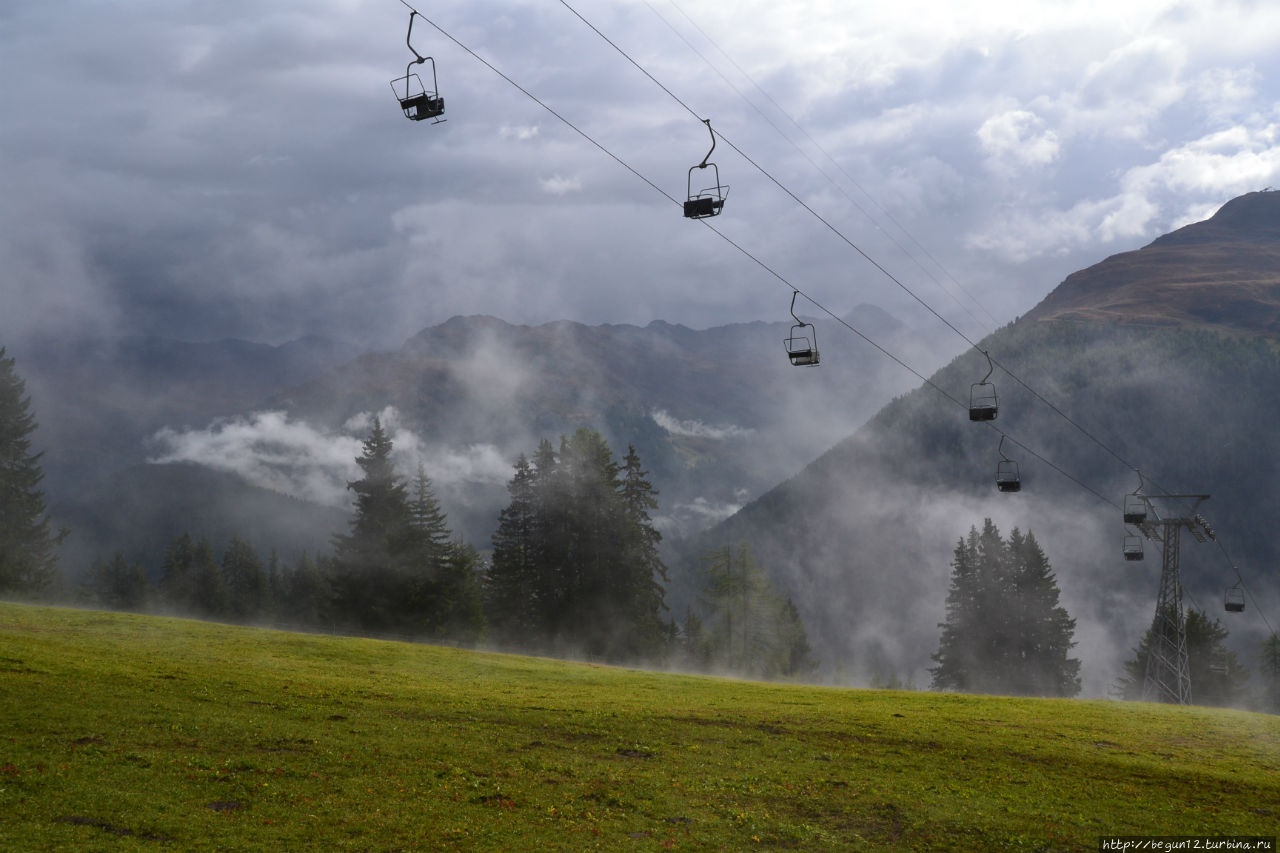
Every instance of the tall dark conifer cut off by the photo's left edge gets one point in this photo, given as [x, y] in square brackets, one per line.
[29, 545]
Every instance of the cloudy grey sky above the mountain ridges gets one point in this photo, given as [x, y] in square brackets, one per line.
[231, 168]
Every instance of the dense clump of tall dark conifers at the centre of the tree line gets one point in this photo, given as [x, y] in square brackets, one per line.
[575, 560]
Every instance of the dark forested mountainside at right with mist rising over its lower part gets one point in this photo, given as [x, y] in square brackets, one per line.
[863, 536]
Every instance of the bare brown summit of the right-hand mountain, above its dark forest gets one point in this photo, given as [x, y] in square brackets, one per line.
[1222, 273]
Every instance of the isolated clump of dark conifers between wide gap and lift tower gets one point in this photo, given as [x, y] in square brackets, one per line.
[1004, 630]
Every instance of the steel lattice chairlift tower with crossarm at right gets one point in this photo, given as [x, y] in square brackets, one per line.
[1168, 677]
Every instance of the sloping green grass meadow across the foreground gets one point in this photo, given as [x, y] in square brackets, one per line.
[122, 732]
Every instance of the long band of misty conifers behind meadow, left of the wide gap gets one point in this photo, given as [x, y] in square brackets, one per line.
[575, 565]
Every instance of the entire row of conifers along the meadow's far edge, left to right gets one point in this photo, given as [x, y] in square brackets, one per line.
[575, 568]
